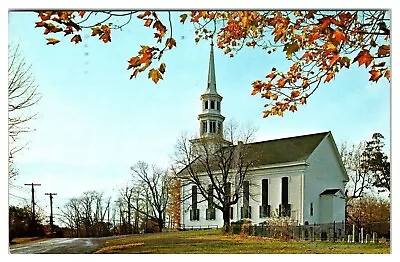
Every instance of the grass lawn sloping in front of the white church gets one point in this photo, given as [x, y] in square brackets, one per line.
[216, 242]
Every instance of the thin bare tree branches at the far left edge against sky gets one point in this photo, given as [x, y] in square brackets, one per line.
[22, 95]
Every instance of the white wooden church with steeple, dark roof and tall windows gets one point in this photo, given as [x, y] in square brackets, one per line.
[301, 178]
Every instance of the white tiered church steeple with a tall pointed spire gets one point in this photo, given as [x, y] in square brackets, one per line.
[210, 119]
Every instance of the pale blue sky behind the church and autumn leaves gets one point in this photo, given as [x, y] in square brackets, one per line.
[94, 123]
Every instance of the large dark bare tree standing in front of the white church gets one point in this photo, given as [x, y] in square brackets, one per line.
[216, 167]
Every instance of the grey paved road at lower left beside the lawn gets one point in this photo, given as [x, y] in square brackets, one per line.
[61, 246]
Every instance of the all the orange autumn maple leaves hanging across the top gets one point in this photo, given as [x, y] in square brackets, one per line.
[319, 44]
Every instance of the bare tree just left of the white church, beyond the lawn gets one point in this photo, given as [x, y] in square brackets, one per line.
[156, 184]
